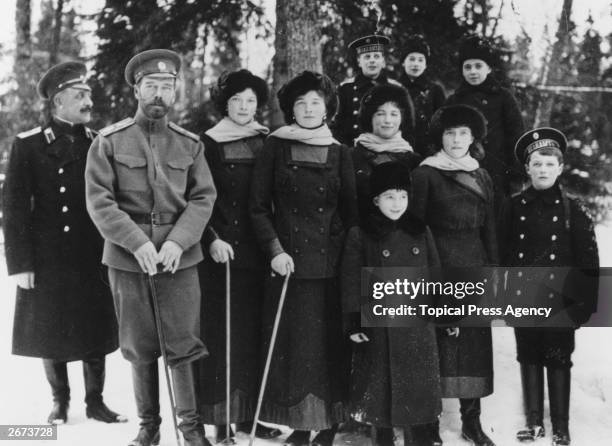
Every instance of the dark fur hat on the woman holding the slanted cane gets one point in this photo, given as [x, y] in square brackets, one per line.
[303, 83]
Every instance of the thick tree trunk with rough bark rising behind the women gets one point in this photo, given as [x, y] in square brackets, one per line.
[297, 44]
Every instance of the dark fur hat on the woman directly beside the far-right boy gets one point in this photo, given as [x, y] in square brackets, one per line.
[457, 115]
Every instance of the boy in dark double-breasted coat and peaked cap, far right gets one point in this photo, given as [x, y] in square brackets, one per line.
[543, 227]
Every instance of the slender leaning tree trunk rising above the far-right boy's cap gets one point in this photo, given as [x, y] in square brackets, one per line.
[542, 117]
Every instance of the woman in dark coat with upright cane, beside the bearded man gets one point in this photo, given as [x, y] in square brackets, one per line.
[232, 146]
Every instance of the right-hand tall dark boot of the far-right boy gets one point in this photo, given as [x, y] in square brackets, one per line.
[559, 381]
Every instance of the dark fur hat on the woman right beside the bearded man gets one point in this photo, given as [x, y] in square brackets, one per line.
[235, 82]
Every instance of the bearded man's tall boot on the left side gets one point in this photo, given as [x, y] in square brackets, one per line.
[146, 392]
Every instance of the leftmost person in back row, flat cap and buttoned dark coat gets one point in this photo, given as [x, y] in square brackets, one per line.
[370, 53]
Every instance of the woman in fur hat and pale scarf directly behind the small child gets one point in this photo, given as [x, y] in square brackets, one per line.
[385, 111]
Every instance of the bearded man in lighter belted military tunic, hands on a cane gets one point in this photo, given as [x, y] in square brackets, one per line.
[150, 193]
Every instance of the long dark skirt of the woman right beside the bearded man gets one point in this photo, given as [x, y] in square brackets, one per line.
[247, 289]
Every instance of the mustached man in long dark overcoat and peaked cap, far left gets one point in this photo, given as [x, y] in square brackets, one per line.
[64, 309]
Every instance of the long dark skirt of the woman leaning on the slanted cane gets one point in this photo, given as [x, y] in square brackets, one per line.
[308, 383]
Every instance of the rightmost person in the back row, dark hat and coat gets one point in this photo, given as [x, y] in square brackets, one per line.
[482, 91]
